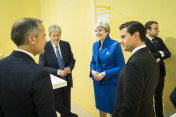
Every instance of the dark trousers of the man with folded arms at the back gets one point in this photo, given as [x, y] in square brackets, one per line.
[159, 97]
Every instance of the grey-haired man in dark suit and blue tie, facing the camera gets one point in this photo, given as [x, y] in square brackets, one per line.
[58, 60]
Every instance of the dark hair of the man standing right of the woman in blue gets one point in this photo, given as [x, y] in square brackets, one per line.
[134, 26]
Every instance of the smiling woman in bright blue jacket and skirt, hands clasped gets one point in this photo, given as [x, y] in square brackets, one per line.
[107, 61]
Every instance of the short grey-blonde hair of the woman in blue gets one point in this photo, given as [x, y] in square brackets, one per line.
[104, 25]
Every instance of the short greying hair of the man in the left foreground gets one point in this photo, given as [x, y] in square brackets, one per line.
[23, 28]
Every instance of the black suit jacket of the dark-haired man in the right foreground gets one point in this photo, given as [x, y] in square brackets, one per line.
[136, 86]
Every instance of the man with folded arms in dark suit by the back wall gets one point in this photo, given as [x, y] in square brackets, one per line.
[159, 50]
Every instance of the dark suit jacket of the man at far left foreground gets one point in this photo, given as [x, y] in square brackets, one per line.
[25, 88]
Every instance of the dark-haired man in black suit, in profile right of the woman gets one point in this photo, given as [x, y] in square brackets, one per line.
[139, 77]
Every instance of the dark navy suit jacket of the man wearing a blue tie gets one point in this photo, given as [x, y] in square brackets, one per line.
[50, 62]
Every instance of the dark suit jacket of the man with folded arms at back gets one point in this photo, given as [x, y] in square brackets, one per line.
[160, 46]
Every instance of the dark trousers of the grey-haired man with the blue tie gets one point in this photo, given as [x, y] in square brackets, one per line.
[62, 101]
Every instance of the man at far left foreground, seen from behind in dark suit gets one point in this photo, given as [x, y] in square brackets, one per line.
[25, 87]
